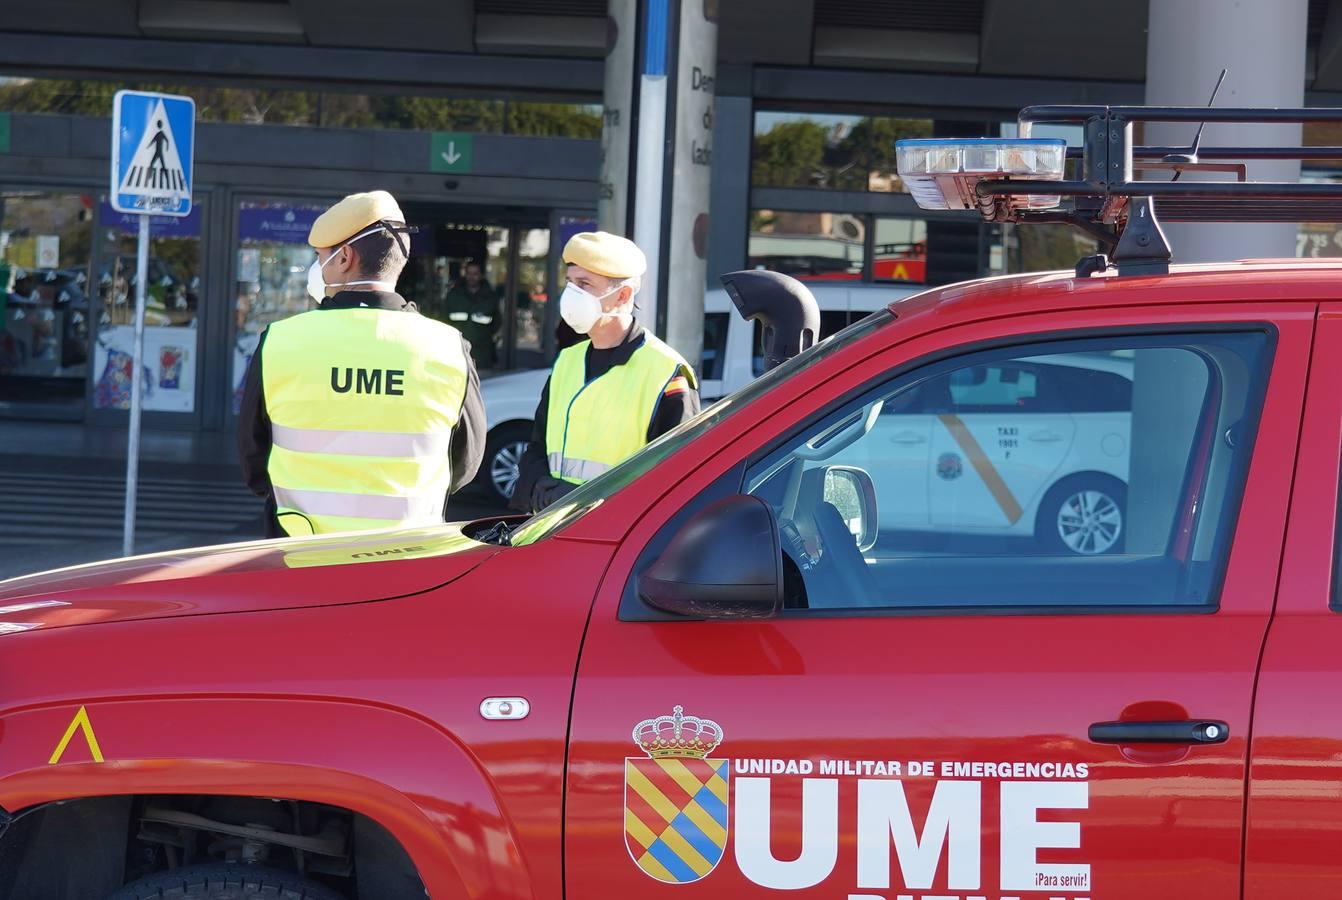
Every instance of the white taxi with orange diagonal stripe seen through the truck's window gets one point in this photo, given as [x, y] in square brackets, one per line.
[1035, 447]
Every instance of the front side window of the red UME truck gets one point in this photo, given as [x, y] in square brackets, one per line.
[1100, 473]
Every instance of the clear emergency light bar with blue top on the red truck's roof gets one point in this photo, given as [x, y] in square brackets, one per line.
[943, 174]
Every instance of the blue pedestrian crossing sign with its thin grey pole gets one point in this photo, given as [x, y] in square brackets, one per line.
[154, 143]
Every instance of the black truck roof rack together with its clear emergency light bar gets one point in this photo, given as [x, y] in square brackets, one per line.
[1105, 199]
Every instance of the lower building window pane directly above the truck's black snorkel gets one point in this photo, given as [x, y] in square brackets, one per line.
[809, 246]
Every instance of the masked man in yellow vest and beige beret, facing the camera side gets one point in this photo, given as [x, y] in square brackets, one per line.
[610, 394]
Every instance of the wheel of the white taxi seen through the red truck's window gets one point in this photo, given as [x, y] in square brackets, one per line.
[1084, 516]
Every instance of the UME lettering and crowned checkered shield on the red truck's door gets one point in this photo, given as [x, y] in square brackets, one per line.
[677, 801]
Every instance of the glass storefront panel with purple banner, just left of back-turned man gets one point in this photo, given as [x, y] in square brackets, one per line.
[272, 277]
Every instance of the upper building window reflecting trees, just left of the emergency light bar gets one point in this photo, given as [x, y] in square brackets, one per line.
[830, 151]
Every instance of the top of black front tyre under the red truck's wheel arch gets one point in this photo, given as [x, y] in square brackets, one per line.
[225, 882]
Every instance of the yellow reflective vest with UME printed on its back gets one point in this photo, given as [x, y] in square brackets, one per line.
[362, 407]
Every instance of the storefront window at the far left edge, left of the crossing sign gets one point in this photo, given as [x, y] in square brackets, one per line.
[45, 298]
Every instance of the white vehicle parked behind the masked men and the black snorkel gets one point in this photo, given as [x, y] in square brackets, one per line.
[732, 359]
